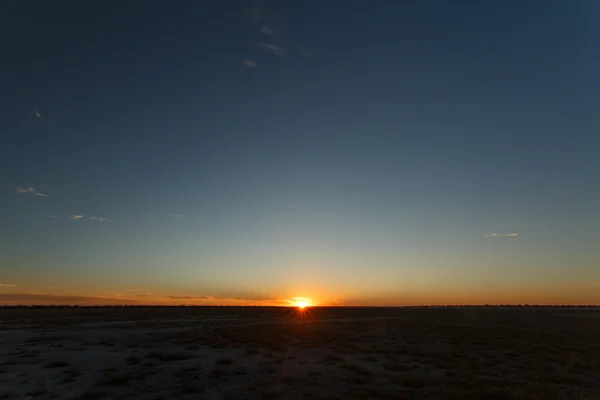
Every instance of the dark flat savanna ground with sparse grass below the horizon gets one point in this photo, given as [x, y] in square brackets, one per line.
[278, 353]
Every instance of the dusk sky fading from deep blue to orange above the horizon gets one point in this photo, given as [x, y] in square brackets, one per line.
[254, 152]
